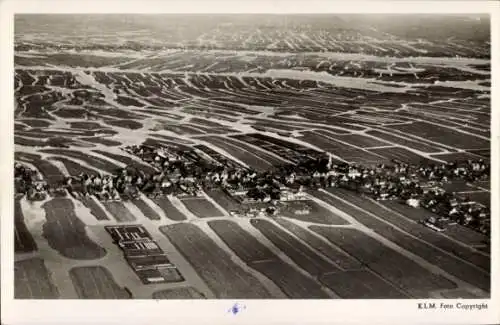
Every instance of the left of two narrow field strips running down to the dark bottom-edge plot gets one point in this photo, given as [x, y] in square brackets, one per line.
[302, 255]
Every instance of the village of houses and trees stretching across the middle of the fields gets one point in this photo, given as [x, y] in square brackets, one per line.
[184, 173]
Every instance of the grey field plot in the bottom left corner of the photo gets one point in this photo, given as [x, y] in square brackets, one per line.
[32, 280]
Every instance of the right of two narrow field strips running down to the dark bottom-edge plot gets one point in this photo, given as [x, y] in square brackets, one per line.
[334, 254]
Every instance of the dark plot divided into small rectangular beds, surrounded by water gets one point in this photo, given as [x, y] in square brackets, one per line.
[144, 255]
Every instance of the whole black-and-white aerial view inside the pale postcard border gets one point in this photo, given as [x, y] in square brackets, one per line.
[252, 156]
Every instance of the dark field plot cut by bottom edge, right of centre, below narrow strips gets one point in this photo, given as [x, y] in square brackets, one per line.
[360, 284]
